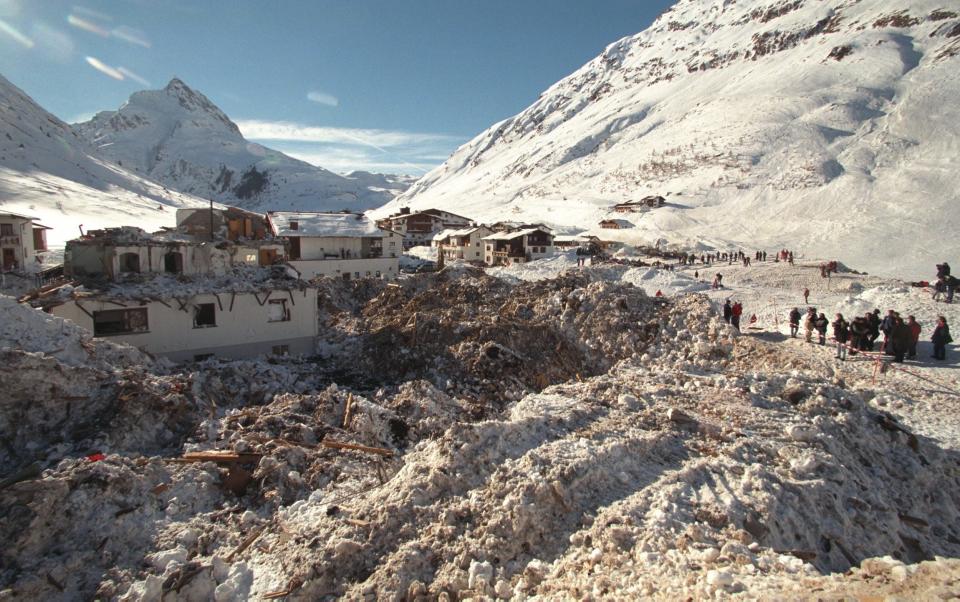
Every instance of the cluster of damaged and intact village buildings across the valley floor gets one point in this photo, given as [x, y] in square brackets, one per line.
[228, 282]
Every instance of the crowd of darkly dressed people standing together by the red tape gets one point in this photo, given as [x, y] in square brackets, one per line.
[900, 337]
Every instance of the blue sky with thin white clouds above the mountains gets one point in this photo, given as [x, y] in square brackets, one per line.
[383, 85]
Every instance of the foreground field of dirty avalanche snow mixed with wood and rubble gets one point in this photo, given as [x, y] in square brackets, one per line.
[461, 436]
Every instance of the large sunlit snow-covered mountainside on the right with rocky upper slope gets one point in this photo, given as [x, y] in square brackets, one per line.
[829, 126]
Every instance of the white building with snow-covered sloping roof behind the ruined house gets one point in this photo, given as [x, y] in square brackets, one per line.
[337, 245]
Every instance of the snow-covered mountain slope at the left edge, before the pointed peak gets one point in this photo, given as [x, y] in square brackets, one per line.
[48, 171]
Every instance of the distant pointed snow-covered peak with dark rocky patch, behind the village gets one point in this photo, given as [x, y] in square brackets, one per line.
[176, 136]
